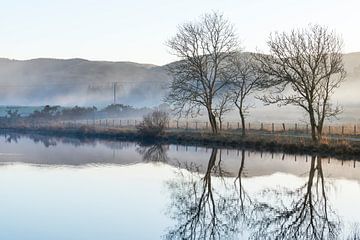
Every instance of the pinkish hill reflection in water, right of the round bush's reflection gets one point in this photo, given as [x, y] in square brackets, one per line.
[262, 164]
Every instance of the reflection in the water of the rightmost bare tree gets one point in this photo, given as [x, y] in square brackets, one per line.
[303, 213]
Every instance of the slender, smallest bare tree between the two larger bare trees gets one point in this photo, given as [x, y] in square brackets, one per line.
[245, 80]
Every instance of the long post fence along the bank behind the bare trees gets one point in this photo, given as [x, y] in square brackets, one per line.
[298, 128]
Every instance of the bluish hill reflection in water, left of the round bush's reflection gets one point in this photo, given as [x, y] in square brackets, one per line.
[40, 149]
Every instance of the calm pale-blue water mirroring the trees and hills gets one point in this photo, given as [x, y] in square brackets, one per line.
[61, 188]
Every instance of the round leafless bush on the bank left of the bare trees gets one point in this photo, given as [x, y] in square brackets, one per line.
[153, 124]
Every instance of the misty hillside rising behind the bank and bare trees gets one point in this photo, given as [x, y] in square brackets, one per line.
[83, 82]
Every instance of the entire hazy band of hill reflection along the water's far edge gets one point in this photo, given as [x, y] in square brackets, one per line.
[40, 149]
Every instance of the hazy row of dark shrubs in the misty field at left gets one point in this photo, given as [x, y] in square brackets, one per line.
[77, 113]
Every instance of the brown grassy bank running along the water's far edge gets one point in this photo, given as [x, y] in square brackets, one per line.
[263, 137]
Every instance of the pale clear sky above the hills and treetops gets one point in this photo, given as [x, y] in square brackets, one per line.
[137, 30]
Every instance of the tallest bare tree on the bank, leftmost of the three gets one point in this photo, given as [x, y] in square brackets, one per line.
[204, 48]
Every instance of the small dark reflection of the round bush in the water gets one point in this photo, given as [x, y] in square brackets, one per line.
[153, 153]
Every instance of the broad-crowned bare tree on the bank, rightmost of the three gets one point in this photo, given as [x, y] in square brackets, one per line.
[304, 68]
